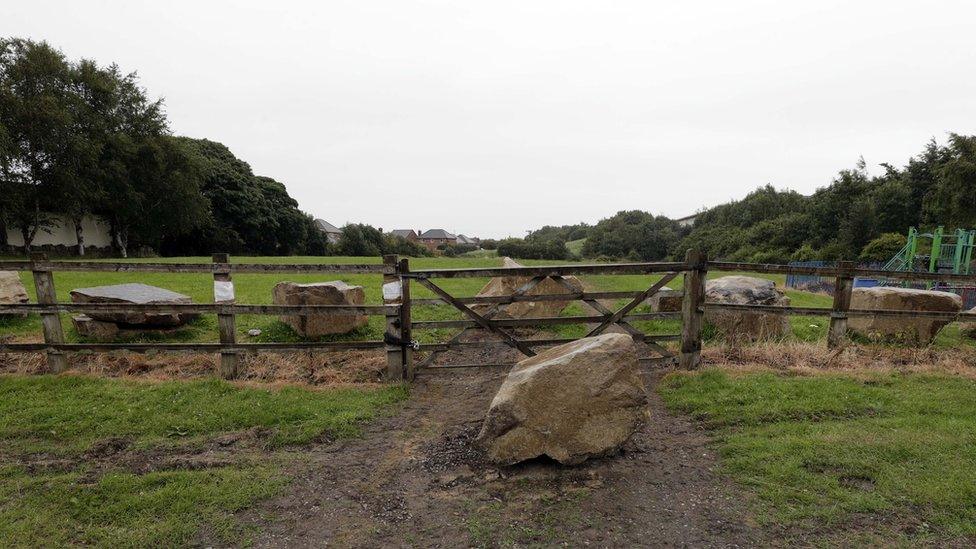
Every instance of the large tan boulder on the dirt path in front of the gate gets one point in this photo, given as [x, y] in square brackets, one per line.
[579, 400]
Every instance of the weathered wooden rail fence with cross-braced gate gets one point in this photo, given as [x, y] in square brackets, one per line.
[398, 341]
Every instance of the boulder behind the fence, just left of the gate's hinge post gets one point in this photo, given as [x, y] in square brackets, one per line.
[321, 293]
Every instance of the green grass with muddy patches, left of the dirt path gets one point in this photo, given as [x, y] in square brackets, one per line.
[45, 418]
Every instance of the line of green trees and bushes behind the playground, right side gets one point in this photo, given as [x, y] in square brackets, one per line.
[857, 216]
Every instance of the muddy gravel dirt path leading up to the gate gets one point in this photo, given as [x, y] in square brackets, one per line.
[414, 480]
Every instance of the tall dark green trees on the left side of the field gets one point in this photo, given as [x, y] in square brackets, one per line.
[79, 139]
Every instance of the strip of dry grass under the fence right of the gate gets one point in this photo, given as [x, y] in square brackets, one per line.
[803, 358]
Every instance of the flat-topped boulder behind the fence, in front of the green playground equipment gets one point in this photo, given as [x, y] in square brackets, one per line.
[906, 329]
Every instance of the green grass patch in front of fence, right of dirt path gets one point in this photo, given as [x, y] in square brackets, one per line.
[829, 450]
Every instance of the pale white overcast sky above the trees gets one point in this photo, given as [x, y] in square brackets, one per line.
[490, 118]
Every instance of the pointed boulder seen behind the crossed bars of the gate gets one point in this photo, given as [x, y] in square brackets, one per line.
[507, 285]
